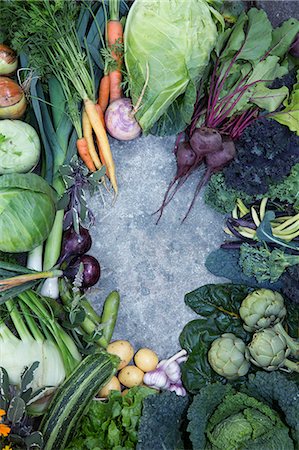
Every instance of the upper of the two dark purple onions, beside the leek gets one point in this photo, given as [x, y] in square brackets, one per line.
[74, 244]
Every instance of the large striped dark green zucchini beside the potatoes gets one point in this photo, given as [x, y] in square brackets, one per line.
[73, 397]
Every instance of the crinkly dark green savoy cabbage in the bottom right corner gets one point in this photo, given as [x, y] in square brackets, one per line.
[223, 419]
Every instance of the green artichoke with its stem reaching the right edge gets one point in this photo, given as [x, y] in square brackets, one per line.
[269, 350]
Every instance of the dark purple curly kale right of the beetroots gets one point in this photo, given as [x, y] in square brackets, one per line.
[266, 153]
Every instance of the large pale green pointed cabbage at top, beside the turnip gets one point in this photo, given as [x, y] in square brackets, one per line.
[175, 39]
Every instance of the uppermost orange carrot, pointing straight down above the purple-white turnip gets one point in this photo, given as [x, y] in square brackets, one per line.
[115, 40]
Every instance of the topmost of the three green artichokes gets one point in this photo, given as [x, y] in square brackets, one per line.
[261, 309]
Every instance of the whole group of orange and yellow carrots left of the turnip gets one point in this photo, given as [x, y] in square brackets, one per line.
[109, 90]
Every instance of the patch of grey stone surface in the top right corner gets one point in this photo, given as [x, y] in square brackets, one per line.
[279, 10]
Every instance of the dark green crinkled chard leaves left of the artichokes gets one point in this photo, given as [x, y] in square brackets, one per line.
[219, 305]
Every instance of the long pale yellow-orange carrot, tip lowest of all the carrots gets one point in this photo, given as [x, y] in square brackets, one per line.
[101, 136]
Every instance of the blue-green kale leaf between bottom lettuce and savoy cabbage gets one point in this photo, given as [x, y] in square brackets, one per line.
[161, 422]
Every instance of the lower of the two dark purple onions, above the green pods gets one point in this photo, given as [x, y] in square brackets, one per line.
[91, 270]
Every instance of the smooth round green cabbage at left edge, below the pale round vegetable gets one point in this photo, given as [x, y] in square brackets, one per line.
[27, 212]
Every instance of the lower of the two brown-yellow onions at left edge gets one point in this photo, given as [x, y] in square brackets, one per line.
[12, 99]
